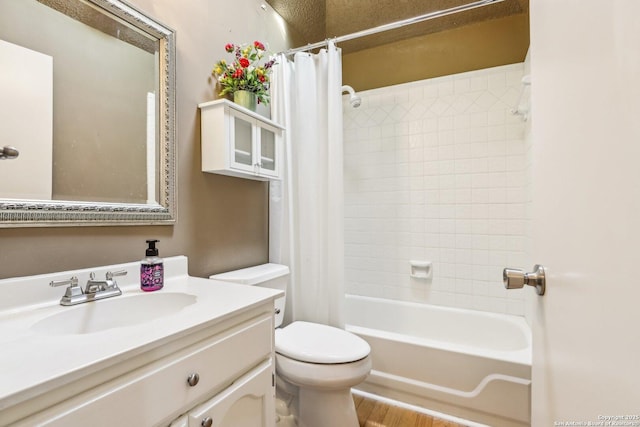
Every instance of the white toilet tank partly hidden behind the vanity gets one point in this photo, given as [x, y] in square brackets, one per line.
[274, 276]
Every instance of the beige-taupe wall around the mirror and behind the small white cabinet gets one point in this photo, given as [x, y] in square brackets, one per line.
[222, 221]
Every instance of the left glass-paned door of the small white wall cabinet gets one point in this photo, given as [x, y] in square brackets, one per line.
[243, 142]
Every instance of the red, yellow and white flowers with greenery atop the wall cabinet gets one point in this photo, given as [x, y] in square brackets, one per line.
[245, 72]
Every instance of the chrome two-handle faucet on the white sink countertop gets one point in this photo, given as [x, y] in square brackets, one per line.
[93, 291]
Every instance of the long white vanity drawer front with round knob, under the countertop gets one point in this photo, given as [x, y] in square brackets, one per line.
[160, 391]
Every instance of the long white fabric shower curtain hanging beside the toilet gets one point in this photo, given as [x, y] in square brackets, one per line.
[306, 207]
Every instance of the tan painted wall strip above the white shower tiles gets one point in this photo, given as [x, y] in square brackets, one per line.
[487, 44]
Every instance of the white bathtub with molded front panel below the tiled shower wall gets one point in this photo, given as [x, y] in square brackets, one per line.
[466, 363]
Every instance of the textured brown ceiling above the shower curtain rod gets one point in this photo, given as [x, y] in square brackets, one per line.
[317, 20]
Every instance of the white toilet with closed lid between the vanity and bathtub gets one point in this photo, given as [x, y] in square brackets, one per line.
[316, 364]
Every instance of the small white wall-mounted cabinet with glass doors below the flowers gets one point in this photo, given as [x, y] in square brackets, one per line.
[239, 142]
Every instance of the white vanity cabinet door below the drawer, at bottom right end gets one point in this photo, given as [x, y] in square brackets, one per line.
[248, 402]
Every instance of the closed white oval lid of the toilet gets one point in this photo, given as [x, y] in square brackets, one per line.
[315, 343]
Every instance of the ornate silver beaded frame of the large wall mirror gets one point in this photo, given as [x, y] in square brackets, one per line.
[39, 213]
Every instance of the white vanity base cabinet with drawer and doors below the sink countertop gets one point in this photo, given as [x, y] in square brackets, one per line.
[223, 373]
